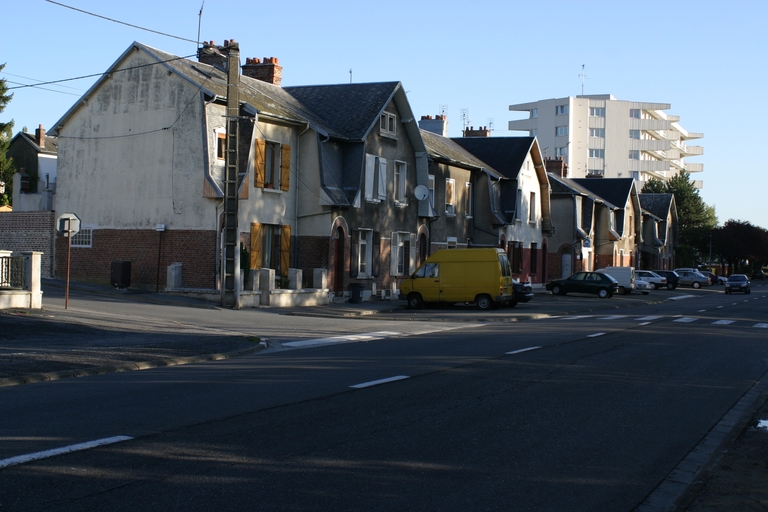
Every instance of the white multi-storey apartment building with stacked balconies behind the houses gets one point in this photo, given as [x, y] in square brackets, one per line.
[600, 135]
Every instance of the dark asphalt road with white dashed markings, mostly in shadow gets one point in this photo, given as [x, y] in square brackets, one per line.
[588, 411]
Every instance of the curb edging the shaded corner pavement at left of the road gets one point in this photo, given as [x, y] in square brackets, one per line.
[125, 367]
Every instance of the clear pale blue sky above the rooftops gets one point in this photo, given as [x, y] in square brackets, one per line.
[468, 60]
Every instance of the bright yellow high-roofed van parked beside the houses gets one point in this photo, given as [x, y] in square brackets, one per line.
[481, 275]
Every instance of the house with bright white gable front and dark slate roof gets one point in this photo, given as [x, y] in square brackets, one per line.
[524, 200]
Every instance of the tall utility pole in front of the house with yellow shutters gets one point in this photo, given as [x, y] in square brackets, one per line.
[230, 260]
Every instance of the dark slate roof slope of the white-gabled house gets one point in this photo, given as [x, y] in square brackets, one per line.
[505, 154]
